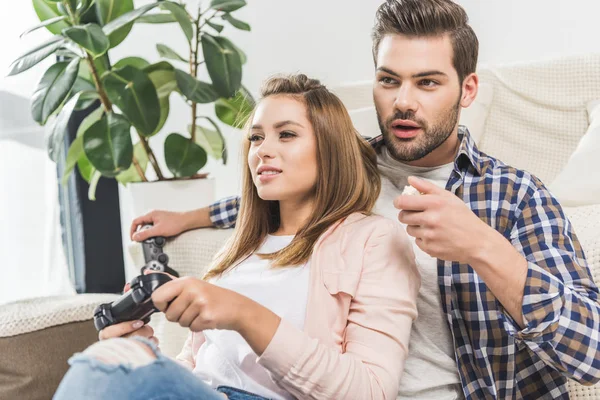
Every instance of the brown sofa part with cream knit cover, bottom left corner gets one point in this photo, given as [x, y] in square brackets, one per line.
[37, 337]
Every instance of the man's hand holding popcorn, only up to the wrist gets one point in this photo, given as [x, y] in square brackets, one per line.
[443, 225]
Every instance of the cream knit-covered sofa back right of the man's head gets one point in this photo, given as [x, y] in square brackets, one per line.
[536, 120]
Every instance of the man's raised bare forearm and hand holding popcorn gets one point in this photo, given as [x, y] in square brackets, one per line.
[446, 228]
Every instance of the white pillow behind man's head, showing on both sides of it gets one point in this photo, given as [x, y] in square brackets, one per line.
[364, 117]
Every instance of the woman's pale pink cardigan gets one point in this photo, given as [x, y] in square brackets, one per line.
[361, 304]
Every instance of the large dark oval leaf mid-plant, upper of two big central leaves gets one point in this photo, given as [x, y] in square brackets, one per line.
[132, 91]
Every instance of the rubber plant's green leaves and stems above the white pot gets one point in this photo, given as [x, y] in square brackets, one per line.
[130, 98]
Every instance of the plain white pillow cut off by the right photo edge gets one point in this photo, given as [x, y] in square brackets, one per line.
[578, 184]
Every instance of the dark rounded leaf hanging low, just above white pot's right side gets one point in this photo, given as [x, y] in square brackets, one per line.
[183, 157]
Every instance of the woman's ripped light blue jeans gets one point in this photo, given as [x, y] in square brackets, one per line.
[157, 378]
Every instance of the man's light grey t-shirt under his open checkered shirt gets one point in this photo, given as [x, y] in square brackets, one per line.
[430, 372]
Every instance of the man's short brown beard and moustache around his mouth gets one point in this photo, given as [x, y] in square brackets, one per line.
[430, 139]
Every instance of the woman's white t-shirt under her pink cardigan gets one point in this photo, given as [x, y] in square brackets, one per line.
[225, 358]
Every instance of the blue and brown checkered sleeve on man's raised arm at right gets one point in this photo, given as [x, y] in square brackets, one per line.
[561, 309]
